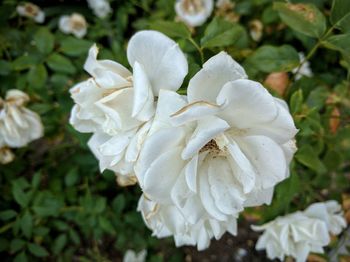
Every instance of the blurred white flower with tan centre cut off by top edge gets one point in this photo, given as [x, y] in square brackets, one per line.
[194, 12]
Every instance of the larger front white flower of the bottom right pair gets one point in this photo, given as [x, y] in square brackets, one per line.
[293, 235]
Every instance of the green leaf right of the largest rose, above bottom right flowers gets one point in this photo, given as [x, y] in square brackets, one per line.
[307, 156]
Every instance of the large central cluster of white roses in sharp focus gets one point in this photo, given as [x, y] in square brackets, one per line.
[200, 159]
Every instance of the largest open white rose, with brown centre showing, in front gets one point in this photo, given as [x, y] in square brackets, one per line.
[225, 148]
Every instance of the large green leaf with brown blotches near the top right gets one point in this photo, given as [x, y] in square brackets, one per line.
[303, 18]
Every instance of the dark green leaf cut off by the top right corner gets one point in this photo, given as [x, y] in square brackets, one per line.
[340, 15]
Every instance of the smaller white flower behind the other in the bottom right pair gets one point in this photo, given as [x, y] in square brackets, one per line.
[331, 213]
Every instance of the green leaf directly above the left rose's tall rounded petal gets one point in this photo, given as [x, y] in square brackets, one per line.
[171, 29]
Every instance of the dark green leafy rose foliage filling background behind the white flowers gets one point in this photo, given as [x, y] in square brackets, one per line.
[55, 205]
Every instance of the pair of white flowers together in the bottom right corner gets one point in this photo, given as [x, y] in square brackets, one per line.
[300, 233]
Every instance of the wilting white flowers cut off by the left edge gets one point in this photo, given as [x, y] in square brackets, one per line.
[18, 125]
